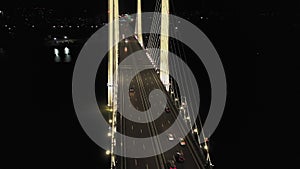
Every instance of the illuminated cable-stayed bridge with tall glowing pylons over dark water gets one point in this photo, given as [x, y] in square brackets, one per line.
[188, 153]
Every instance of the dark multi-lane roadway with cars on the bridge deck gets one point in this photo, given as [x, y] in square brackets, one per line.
[143, 83]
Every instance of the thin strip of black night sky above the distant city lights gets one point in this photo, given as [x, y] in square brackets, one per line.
[245, 5]
